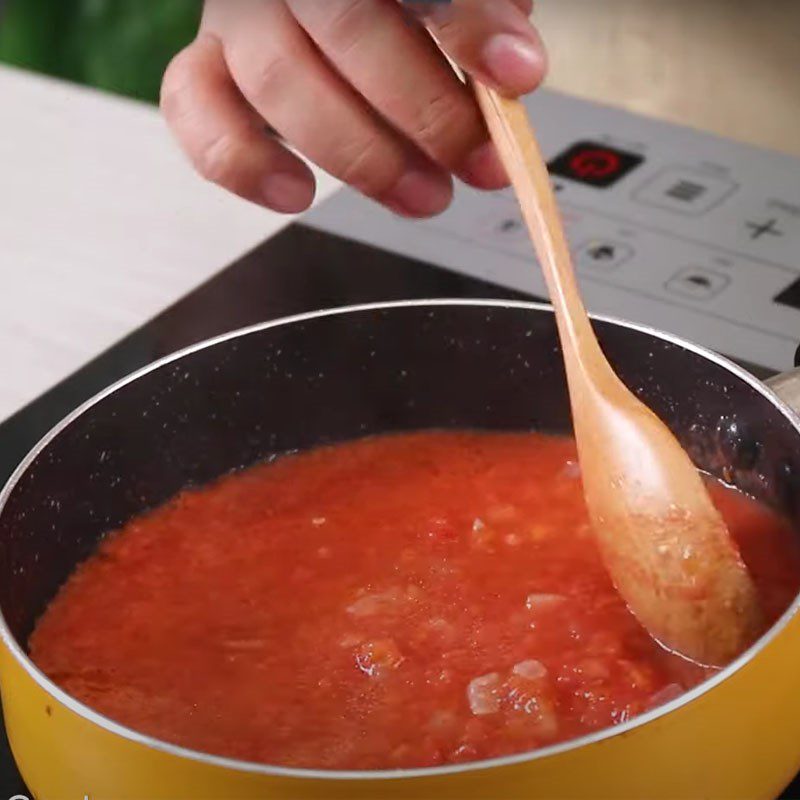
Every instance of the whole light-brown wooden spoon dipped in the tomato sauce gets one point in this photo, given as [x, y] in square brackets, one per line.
[662, 540]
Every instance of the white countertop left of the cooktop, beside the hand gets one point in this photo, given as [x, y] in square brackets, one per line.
[102, 225]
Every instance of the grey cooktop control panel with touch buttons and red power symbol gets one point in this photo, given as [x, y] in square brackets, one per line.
[668, 226]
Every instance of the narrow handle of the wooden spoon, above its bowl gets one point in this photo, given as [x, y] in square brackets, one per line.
[521, 155]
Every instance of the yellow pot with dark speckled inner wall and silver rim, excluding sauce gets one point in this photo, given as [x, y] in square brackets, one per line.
[736, 736]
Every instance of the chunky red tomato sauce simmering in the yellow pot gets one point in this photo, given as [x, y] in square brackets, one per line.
[401, 601]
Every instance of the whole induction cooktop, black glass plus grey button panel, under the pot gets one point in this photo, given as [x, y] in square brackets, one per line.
[668, 226]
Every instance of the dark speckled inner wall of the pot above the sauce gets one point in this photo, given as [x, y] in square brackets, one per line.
[331, 377]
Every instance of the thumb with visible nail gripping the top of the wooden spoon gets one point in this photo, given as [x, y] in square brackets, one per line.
[493, 40]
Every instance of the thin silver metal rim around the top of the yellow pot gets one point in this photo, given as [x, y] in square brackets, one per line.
[59, 695]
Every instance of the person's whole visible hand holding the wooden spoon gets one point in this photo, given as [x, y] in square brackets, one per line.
[356, 86]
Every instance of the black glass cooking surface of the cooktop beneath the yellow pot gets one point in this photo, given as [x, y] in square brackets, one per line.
[297, 271]
